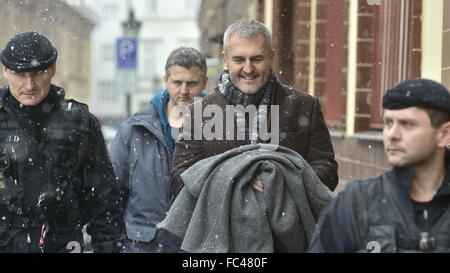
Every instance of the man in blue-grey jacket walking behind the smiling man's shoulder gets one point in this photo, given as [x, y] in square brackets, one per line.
[142, 152]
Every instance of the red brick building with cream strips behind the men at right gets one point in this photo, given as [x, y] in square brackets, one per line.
[348, 53]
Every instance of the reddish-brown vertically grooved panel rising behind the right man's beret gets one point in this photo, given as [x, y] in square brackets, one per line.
[397, 33]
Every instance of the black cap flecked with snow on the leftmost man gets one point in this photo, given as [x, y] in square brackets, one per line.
[27, 52]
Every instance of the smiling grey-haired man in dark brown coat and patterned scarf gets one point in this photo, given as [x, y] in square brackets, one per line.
[248, 80]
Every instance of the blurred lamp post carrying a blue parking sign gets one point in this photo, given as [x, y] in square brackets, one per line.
[127, 57]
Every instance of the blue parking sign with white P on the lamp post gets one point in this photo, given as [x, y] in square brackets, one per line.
[126, 53]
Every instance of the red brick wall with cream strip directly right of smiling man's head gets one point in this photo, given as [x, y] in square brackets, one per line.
[311, 51]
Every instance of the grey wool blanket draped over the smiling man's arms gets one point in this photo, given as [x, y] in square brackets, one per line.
[217, 211]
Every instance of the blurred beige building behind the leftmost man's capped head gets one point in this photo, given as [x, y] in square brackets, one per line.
[66, 27]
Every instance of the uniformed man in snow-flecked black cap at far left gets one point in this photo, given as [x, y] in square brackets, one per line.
[55, 173]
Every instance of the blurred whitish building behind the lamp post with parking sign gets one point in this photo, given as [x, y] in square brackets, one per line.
[165, 25]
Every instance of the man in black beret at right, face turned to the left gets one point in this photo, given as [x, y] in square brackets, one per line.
[408, 208]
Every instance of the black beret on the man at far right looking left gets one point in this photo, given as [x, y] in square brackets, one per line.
[418, 92]
